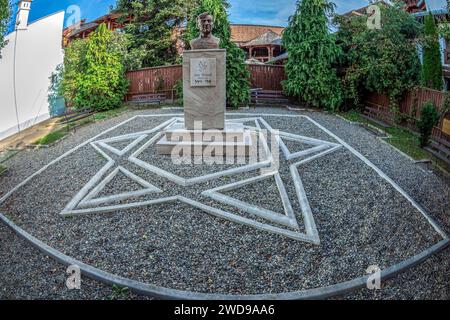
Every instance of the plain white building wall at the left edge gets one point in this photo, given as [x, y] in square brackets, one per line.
[38, 51]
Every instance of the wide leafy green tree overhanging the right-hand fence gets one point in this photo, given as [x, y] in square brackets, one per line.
[381, 60]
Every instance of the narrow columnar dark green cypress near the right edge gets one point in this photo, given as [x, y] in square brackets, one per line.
[432, 67]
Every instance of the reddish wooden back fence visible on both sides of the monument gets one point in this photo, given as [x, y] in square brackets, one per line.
[163, 79]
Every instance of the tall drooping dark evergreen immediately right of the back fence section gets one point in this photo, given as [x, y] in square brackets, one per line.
[310, 68]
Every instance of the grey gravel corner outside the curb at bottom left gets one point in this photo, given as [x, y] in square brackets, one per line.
[28, 274]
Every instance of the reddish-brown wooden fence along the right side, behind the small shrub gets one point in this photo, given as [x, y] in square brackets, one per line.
[378, 106]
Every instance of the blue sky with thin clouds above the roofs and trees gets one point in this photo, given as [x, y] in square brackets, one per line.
[267, 12]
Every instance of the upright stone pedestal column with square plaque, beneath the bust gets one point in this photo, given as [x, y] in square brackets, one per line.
[204, 88]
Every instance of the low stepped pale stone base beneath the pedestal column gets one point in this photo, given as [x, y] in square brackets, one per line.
[233, 140]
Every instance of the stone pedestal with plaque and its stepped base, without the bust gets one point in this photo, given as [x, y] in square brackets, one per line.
[204, 132]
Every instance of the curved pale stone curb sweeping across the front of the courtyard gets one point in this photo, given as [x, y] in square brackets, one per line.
[173, 294]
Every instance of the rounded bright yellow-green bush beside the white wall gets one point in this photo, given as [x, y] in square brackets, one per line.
[94, 73]
